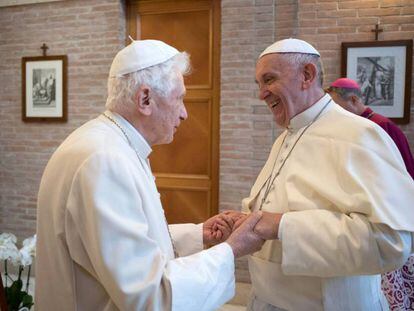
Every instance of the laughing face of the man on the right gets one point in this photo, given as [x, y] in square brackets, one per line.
[279, 86]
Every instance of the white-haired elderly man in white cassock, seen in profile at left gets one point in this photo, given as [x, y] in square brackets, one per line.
[103, 240]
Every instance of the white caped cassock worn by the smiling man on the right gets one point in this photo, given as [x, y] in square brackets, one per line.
[347, 202]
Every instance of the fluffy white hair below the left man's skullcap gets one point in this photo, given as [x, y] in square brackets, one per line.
[160, 78]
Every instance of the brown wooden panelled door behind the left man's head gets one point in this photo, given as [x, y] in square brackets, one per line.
[187, 169]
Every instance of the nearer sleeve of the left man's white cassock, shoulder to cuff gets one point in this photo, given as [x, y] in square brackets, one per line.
[105, 212]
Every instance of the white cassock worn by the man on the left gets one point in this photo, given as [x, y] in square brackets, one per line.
[103, 241]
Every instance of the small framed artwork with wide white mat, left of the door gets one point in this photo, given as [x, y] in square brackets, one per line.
[44, 90]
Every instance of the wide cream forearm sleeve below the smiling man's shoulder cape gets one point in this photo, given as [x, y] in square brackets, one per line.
[327, 244]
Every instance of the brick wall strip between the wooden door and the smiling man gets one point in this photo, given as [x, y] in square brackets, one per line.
[246, 128]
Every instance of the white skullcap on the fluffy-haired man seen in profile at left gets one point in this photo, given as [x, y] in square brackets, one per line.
[140, 54]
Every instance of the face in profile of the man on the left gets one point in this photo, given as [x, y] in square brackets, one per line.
[168, 113]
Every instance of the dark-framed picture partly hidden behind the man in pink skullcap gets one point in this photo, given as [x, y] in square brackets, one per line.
[383, 71]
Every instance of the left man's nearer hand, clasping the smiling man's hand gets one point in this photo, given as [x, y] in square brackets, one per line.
[244, 240]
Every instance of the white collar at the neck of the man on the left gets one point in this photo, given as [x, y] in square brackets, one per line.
[138, 142]
